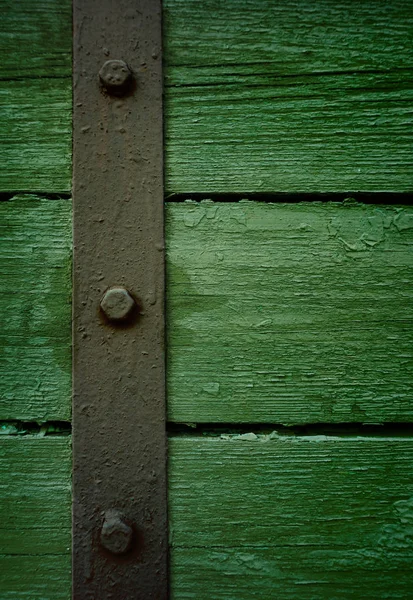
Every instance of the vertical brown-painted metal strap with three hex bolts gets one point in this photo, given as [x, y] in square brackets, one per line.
[119, 440]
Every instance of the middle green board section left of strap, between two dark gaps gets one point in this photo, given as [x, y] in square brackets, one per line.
[35, 308]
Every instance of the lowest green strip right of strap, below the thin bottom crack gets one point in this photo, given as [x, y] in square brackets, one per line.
[294, 574]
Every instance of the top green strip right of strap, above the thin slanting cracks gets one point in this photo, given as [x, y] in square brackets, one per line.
[284, 37]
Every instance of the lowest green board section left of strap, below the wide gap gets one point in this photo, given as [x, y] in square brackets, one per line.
[35, 500]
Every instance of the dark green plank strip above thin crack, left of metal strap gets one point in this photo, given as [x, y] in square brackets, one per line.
[35, 39]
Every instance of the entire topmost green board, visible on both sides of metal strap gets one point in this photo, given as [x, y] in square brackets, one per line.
[260, 97]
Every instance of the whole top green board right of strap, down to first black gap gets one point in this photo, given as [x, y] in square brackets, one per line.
[288, 96]
